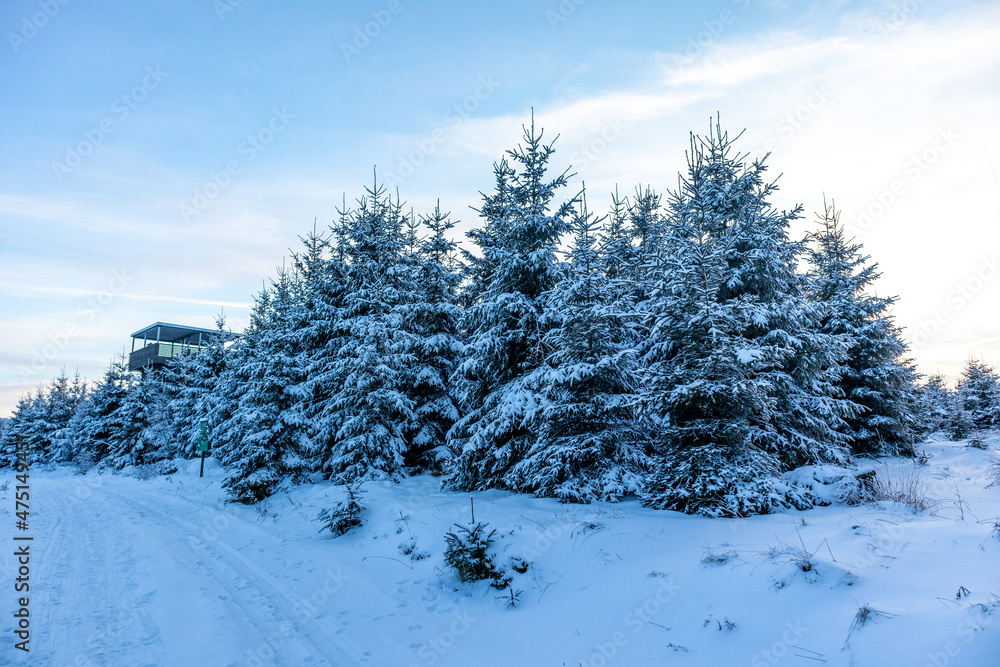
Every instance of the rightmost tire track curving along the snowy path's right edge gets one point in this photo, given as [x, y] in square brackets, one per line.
[238, 575]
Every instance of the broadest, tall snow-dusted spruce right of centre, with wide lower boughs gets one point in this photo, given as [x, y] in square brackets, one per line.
[739, 383]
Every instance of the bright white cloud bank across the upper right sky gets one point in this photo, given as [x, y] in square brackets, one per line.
[847, 114]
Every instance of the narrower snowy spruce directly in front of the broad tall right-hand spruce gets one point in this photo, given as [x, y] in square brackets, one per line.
[709, 410]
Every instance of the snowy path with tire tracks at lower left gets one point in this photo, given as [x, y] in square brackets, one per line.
[125, 579]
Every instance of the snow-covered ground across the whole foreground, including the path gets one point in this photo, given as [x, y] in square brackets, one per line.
[164, 572]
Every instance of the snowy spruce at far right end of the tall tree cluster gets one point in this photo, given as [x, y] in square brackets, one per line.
[875, 375]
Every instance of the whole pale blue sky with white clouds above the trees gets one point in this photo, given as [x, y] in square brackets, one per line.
[161, 158]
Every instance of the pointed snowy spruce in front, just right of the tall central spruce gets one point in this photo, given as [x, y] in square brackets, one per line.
[587, 447]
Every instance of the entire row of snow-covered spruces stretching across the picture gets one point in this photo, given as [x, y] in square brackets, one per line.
[681, 347]
